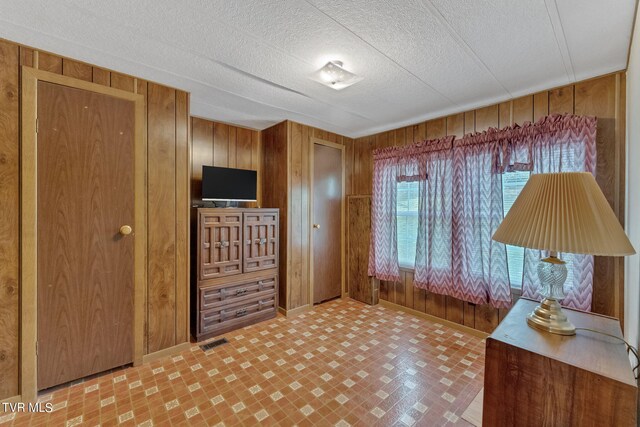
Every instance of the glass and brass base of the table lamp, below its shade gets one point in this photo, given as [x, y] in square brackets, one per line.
[548, 316]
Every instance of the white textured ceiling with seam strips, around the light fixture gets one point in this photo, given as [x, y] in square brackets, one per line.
[248, 62]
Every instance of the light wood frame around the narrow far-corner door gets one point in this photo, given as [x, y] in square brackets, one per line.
[314, 141]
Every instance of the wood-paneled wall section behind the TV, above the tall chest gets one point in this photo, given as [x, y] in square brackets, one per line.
[220, 144]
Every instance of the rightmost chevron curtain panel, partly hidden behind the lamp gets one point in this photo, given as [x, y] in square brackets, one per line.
[563, 144]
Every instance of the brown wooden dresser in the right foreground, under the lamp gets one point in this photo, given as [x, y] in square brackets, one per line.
[534, 378]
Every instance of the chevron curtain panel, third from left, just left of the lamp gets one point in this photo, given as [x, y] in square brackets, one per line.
[480, 269]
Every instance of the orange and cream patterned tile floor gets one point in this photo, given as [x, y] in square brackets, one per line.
[343, 363]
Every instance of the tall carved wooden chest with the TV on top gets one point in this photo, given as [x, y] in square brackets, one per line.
[235, 271]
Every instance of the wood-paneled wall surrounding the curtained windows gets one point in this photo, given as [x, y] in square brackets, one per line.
[603, 97]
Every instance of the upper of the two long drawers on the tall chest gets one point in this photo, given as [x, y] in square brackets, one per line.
[218, 295]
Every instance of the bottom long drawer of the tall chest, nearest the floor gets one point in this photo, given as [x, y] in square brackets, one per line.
[238, 313]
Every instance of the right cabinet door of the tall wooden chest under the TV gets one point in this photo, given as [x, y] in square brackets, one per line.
[260, 240]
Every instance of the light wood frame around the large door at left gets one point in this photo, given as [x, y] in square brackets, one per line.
[29, 229]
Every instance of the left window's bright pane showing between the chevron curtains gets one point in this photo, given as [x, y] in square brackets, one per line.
[407, 215]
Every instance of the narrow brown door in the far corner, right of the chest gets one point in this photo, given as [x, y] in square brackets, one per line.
[327, 222]
